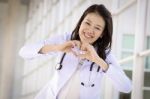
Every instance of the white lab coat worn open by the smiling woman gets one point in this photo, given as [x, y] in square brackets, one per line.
[51, 90]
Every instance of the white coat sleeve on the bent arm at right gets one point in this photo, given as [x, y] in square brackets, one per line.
[117, 75]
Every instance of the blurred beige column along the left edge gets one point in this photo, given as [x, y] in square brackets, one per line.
[8, 48]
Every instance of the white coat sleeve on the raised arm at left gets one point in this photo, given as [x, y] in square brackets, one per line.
[30, 51]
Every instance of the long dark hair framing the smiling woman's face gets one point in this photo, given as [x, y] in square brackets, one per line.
[102, 43]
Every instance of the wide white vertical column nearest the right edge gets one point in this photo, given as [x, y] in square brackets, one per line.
[138, 67]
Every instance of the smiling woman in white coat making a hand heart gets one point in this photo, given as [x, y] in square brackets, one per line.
[86, 58]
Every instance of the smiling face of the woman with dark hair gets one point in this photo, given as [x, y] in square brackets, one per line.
[91, 28]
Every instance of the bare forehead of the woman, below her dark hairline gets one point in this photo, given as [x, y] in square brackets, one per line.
[95, 18]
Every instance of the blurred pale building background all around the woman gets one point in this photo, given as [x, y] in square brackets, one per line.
[28, 21]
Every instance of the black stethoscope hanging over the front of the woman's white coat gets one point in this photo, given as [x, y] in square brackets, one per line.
[89, 84]
